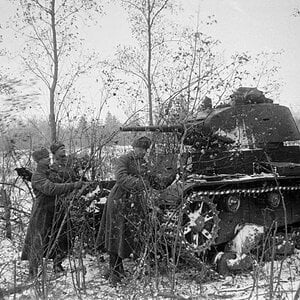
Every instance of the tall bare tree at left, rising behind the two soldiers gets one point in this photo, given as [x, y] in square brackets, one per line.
[53, 51]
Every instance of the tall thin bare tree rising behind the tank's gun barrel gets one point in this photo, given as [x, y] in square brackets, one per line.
[148, 24]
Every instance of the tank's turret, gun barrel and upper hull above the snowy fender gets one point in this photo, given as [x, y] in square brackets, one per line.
[242, 136]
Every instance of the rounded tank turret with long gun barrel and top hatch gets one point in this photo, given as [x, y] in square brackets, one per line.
[251, 120]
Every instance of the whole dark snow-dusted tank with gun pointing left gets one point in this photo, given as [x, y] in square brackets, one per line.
[242, 165]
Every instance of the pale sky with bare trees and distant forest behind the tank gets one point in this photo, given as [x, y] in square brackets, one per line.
[65, 76]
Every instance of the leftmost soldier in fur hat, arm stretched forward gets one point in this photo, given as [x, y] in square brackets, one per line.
[42, 232]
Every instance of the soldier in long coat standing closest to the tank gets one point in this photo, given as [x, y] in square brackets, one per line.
[124, 204]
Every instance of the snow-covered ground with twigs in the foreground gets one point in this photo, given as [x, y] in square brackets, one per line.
[279, 280]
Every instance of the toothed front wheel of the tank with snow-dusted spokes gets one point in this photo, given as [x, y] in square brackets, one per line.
[200, 223]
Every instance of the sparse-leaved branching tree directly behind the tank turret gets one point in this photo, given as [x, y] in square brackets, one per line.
[194, 71]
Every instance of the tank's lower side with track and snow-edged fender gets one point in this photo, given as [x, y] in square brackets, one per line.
[253, 192]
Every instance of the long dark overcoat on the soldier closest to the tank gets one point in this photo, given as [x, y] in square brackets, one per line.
[126, 207]
